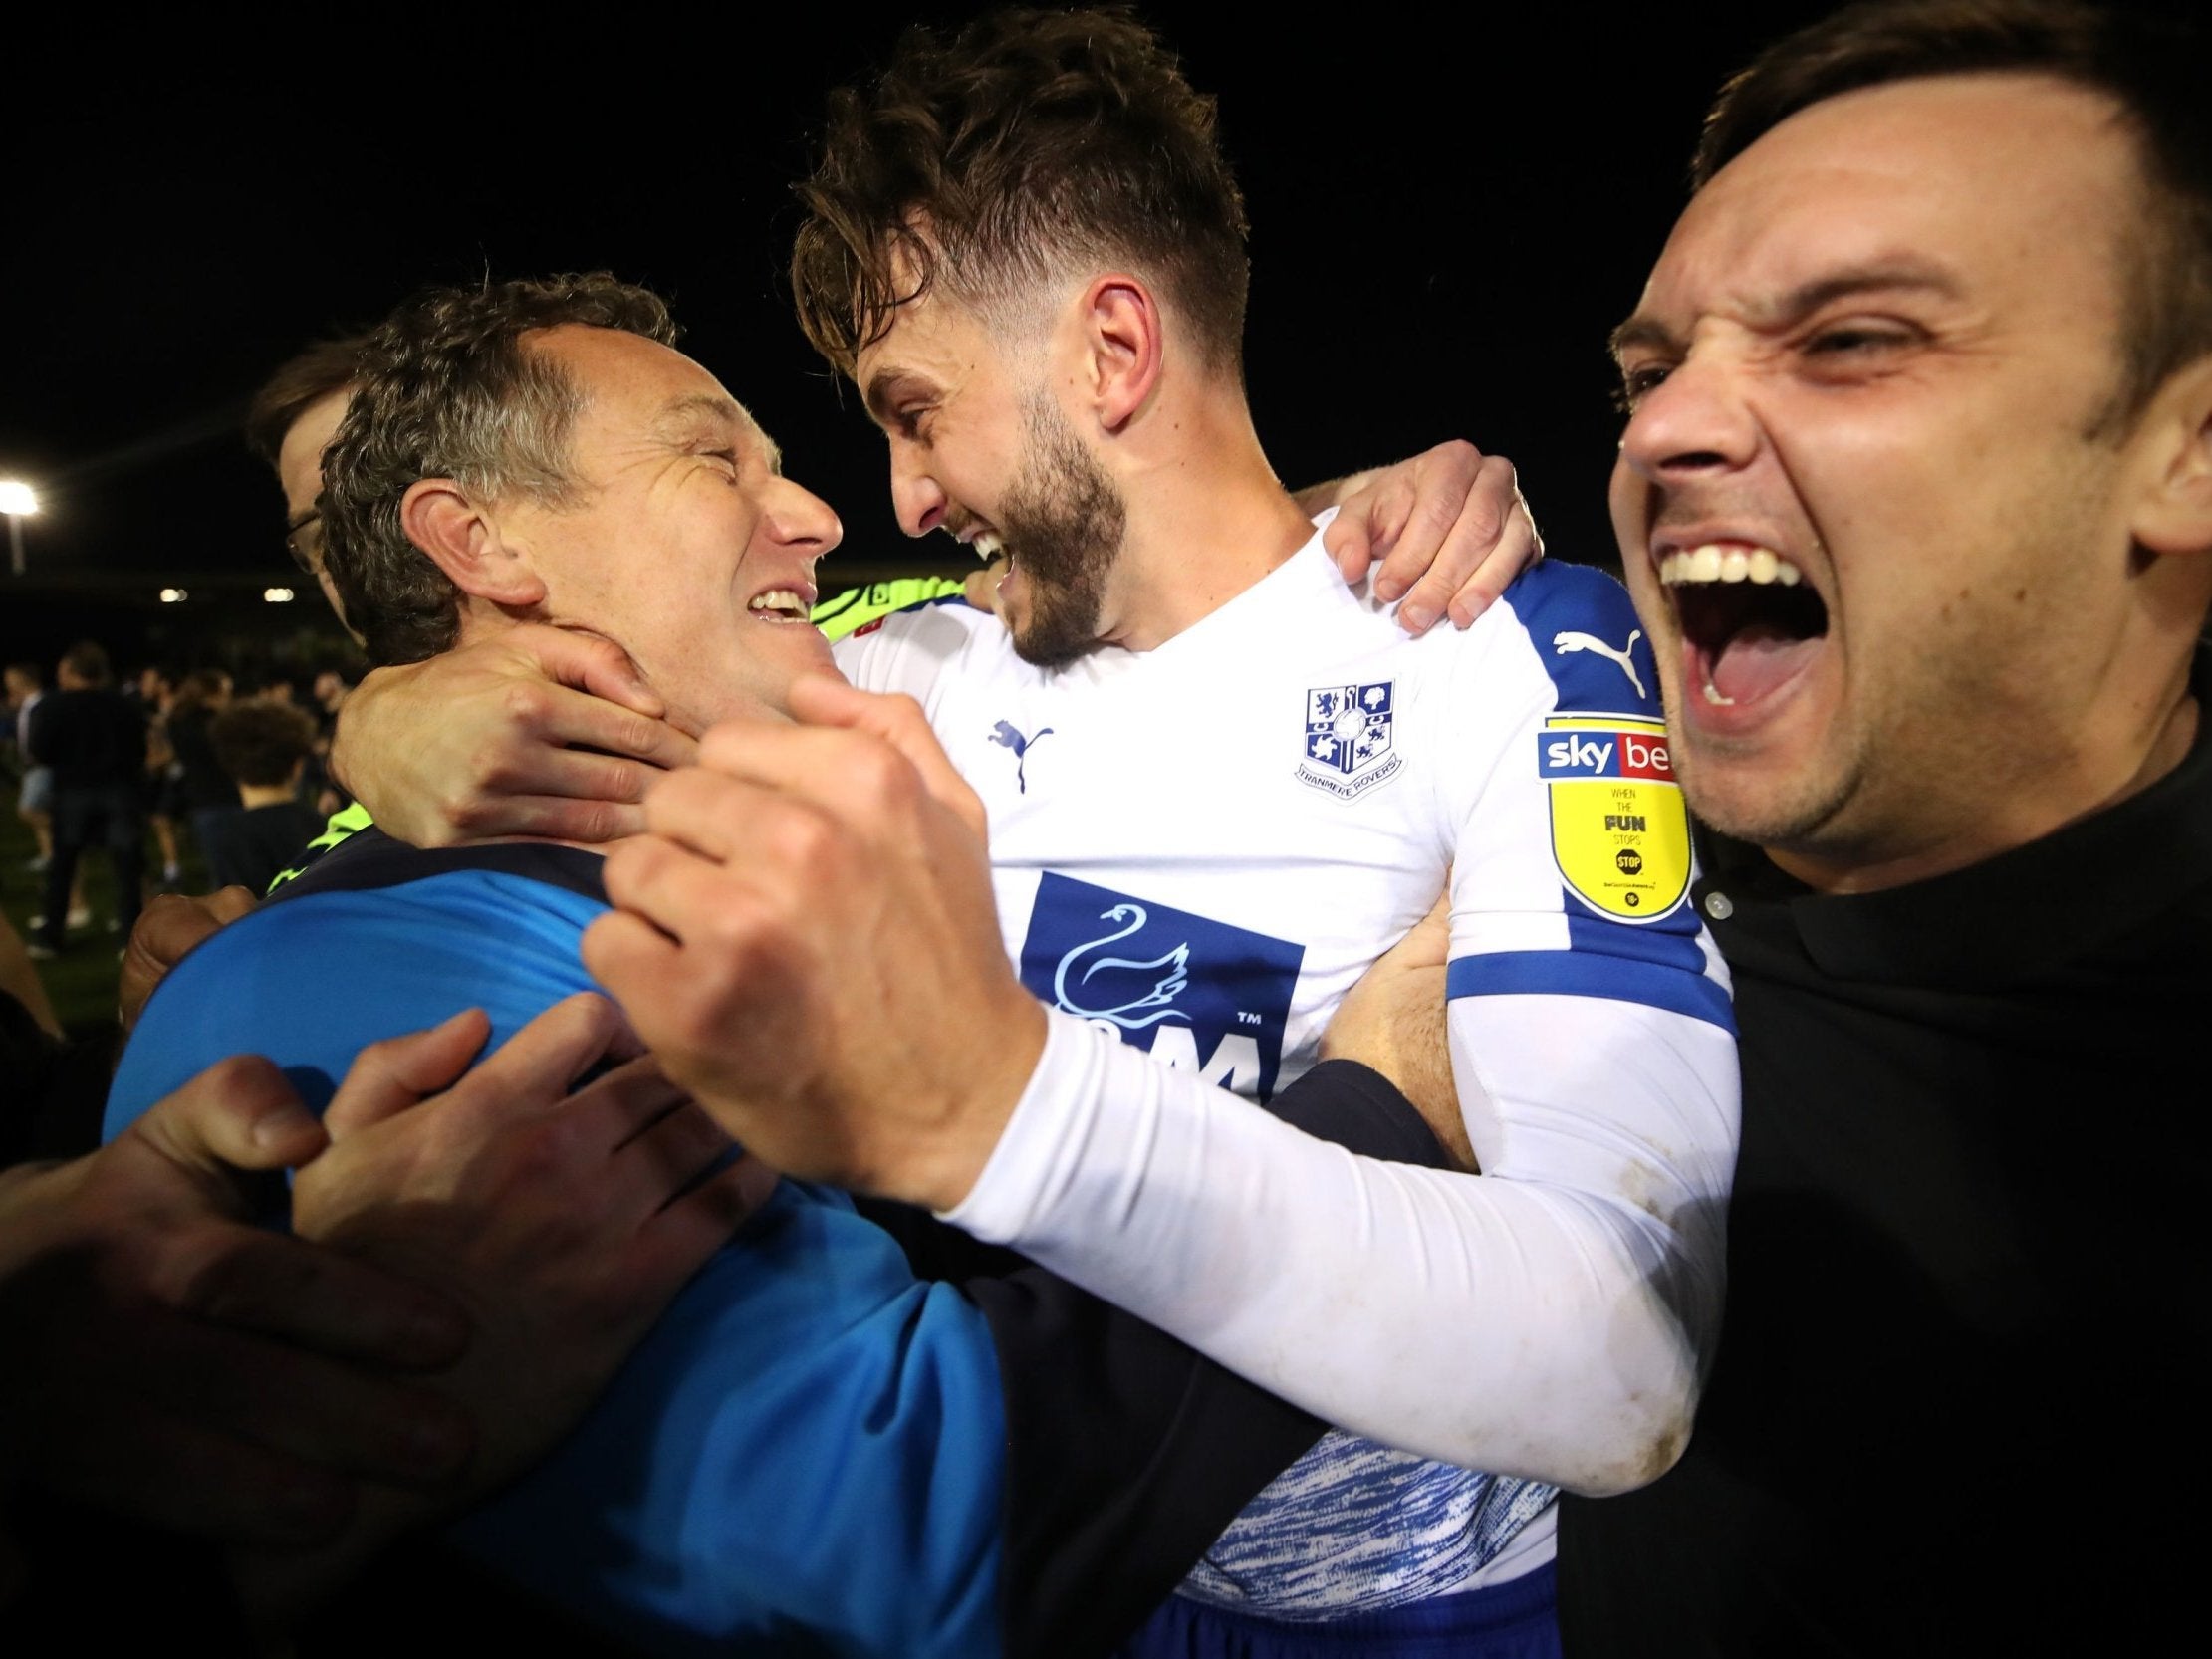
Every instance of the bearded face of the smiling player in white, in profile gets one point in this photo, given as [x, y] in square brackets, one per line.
[985, 455]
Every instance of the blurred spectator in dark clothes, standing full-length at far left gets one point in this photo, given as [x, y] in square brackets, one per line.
[94, 738]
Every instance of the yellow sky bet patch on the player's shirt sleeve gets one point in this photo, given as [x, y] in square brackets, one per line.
[1618, 826]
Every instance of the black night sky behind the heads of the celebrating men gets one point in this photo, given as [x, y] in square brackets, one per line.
[1448, 218]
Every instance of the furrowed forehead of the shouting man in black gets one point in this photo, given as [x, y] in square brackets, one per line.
[2005, 182]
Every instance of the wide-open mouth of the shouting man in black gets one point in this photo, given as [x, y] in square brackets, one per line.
[1751, 620]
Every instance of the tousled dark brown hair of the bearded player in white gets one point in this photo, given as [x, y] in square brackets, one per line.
[988, 163]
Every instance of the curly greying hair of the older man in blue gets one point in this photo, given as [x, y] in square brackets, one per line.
[446, 388]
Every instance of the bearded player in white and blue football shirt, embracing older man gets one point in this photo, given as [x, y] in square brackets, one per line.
[1218, 789]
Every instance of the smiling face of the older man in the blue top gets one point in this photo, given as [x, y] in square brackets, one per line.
[682, 543]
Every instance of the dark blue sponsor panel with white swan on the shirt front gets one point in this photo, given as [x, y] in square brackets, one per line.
[1198, 994]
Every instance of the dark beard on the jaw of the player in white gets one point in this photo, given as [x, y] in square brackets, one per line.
[1065, 521]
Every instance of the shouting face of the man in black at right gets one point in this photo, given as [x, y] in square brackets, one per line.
[1866, 499]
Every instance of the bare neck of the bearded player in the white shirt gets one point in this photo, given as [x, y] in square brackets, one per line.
[1207, 517]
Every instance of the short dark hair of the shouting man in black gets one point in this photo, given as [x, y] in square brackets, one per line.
[2156, 70]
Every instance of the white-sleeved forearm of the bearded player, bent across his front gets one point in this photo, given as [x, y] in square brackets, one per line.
[1494, 1322]
